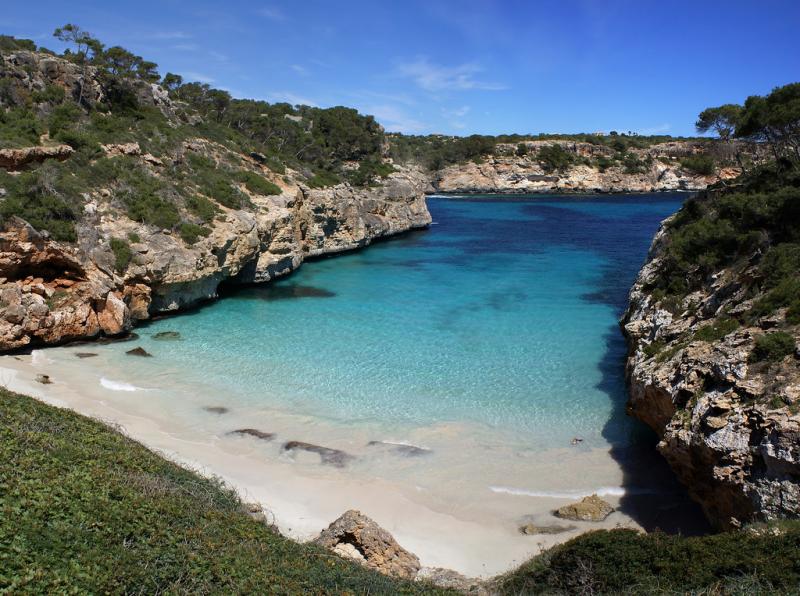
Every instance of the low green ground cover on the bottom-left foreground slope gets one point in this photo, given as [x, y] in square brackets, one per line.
[84, 509]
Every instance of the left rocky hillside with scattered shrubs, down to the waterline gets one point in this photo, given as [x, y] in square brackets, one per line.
[122, 266]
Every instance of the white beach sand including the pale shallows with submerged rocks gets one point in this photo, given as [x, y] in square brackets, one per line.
[458, 508]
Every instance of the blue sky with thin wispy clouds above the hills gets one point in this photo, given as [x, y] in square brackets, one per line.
[459, 67]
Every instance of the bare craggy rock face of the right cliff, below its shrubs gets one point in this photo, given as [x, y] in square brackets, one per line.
[729, 428]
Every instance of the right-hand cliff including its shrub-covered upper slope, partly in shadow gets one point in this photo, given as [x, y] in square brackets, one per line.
[714, 370]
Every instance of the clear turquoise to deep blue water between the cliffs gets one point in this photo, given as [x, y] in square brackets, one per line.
[502, 314]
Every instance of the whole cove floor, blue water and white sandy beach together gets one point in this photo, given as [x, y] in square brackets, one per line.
[490, 338]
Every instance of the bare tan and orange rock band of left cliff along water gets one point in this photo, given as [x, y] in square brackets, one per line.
[53, 292]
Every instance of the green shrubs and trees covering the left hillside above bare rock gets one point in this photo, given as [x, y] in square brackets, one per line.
[326, 146]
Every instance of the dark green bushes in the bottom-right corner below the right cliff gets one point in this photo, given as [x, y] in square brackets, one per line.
[626, 562]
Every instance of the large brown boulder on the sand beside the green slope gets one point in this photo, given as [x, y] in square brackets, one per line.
[356, 536]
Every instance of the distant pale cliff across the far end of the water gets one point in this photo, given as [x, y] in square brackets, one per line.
[656, 168]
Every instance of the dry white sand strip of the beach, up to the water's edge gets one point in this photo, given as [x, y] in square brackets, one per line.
[477, 537]
